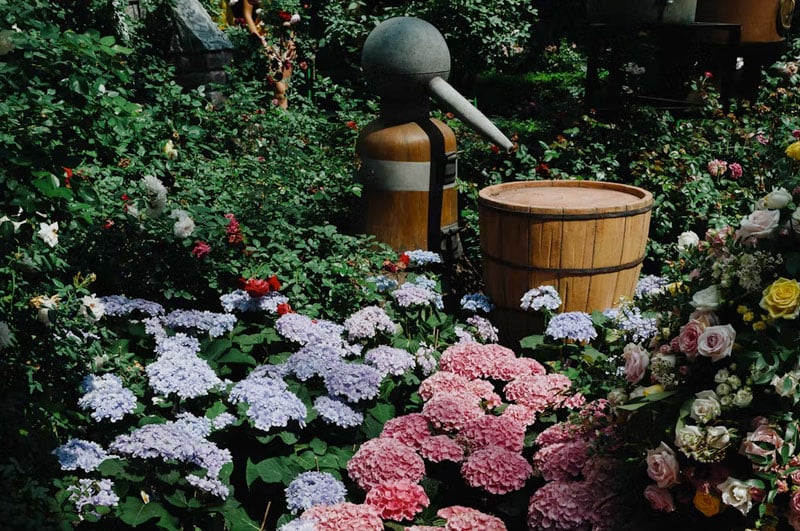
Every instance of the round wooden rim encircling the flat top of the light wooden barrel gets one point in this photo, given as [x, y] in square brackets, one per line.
[641, 200]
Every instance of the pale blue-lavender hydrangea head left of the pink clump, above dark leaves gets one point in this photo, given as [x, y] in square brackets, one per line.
[271, 404]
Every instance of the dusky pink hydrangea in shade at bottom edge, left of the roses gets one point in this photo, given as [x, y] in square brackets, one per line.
[561, 505]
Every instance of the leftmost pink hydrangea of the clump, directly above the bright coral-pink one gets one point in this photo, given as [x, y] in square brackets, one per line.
[381, 460]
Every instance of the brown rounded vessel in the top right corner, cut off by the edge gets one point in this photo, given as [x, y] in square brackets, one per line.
[761, 20]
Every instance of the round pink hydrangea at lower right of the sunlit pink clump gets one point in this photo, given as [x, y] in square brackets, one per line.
[496, 470]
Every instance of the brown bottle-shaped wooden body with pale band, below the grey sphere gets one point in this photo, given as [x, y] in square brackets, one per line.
[396, 172]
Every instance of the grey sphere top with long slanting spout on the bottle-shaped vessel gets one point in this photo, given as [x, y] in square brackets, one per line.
[406, 60]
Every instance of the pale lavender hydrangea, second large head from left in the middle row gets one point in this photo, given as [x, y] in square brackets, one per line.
[179, 370]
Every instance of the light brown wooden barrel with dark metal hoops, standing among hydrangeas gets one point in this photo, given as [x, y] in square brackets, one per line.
[585, 238]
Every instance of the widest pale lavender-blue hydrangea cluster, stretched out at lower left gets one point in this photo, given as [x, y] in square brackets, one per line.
[177, 440]
